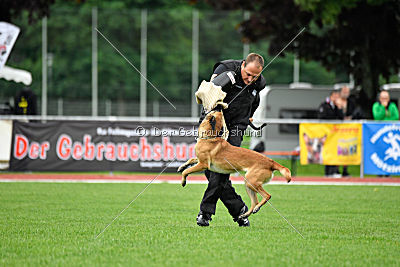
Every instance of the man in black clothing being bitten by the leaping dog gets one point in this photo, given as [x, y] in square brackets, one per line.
[242, 81]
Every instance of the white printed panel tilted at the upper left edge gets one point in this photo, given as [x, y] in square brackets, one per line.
[8, 36]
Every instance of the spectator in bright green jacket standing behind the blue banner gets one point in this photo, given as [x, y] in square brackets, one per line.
[383, 109]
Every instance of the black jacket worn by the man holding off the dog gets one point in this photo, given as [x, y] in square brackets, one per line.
[242, 103]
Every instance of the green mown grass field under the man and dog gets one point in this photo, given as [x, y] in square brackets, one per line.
[55, 224]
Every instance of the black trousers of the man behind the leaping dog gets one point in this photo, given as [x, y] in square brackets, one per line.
[220, 187]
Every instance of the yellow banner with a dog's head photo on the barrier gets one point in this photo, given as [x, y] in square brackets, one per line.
[330, 144]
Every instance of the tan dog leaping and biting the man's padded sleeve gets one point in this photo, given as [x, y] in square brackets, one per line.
[217, 155]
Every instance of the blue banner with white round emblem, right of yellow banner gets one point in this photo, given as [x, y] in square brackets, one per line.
[381, 148]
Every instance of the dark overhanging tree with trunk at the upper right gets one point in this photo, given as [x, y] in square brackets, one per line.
[362, 37]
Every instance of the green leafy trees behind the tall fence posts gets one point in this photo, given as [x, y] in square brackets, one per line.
[169, 51]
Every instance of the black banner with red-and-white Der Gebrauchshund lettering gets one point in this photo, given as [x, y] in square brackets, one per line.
[101, 146]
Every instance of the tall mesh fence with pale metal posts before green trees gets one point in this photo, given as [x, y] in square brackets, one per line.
[174, 49]
